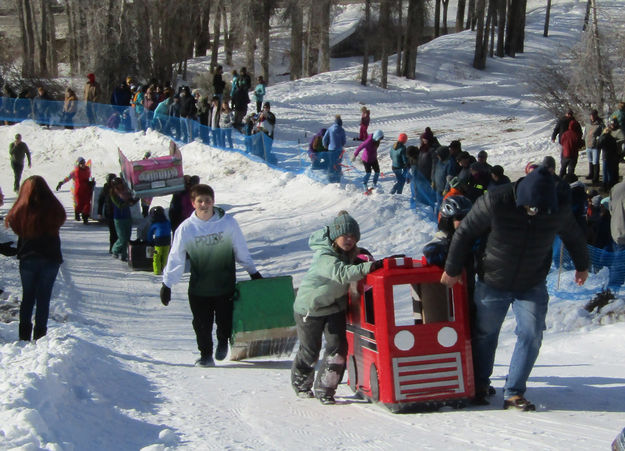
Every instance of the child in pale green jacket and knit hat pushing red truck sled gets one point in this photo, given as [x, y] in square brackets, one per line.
[320, 307]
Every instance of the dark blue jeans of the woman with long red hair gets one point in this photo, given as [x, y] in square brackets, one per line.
[38, 275]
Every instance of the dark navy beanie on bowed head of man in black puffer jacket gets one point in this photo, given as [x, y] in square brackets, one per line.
[538, 189]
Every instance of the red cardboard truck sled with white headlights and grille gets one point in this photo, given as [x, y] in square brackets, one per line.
[409, 338]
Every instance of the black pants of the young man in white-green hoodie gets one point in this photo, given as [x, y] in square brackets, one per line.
[206, 310]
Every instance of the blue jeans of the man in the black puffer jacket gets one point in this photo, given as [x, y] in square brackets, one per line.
[530, 309]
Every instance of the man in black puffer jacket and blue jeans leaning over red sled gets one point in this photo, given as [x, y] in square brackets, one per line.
[520, 221]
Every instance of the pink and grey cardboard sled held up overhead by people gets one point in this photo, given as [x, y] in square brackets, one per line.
[154, 176]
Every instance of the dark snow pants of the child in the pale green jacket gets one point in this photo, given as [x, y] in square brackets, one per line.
[330, 374]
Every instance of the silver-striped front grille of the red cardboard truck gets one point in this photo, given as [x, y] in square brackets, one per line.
[427, 376]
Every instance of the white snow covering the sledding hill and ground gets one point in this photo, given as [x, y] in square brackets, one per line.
[116, 368]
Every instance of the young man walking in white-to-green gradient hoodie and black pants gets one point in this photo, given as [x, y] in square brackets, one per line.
[214, 242]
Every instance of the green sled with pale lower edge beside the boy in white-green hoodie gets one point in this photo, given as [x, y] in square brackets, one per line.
[263, 321]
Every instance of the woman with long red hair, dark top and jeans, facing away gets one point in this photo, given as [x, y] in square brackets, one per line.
[36, 218]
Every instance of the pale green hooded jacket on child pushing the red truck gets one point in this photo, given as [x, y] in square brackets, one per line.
[323, 290]
